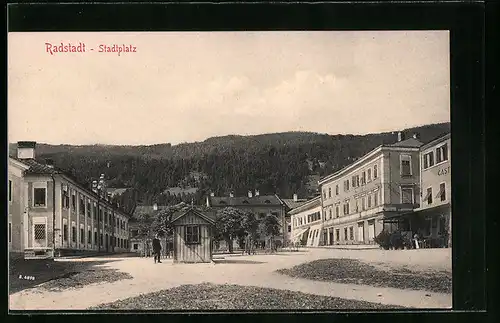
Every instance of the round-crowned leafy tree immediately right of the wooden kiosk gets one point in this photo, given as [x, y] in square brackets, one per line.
[228, 225]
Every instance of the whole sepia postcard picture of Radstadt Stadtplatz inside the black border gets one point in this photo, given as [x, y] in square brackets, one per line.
[229, 170]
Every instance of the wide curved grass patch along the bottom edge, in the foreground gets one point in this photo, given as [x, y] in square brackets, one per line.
[234, 297]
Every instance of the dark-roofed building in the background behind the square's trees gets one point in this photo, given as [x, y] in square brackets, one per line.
[260, 205]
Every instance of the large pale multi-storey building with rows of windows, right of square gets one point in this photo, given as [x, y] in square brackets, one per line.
[356, 199]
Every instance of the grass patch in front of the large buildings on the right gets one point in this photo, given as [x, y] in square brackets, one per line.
[353, 271]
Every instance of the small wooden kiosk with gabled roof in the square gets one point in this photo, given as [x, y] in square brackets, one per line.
[192, 236]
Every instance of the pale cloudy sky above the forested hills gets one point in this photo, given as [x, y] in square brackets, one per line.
[189, 86]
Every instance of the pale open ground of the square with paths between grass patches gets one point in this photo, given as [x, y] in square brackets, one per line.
[256, 270]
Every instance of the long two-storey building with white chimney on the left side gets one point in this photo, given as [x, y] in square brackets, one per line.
[54, 215]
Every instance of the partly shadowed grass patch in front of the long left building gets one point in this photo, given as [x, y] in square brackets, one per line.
[58, 275]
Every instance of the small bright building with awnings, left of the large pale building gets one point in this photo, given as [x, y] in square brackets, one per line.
[307, 223]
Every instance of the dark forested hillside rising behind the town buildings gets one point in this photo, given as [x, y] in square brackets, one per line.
[273, 163]
